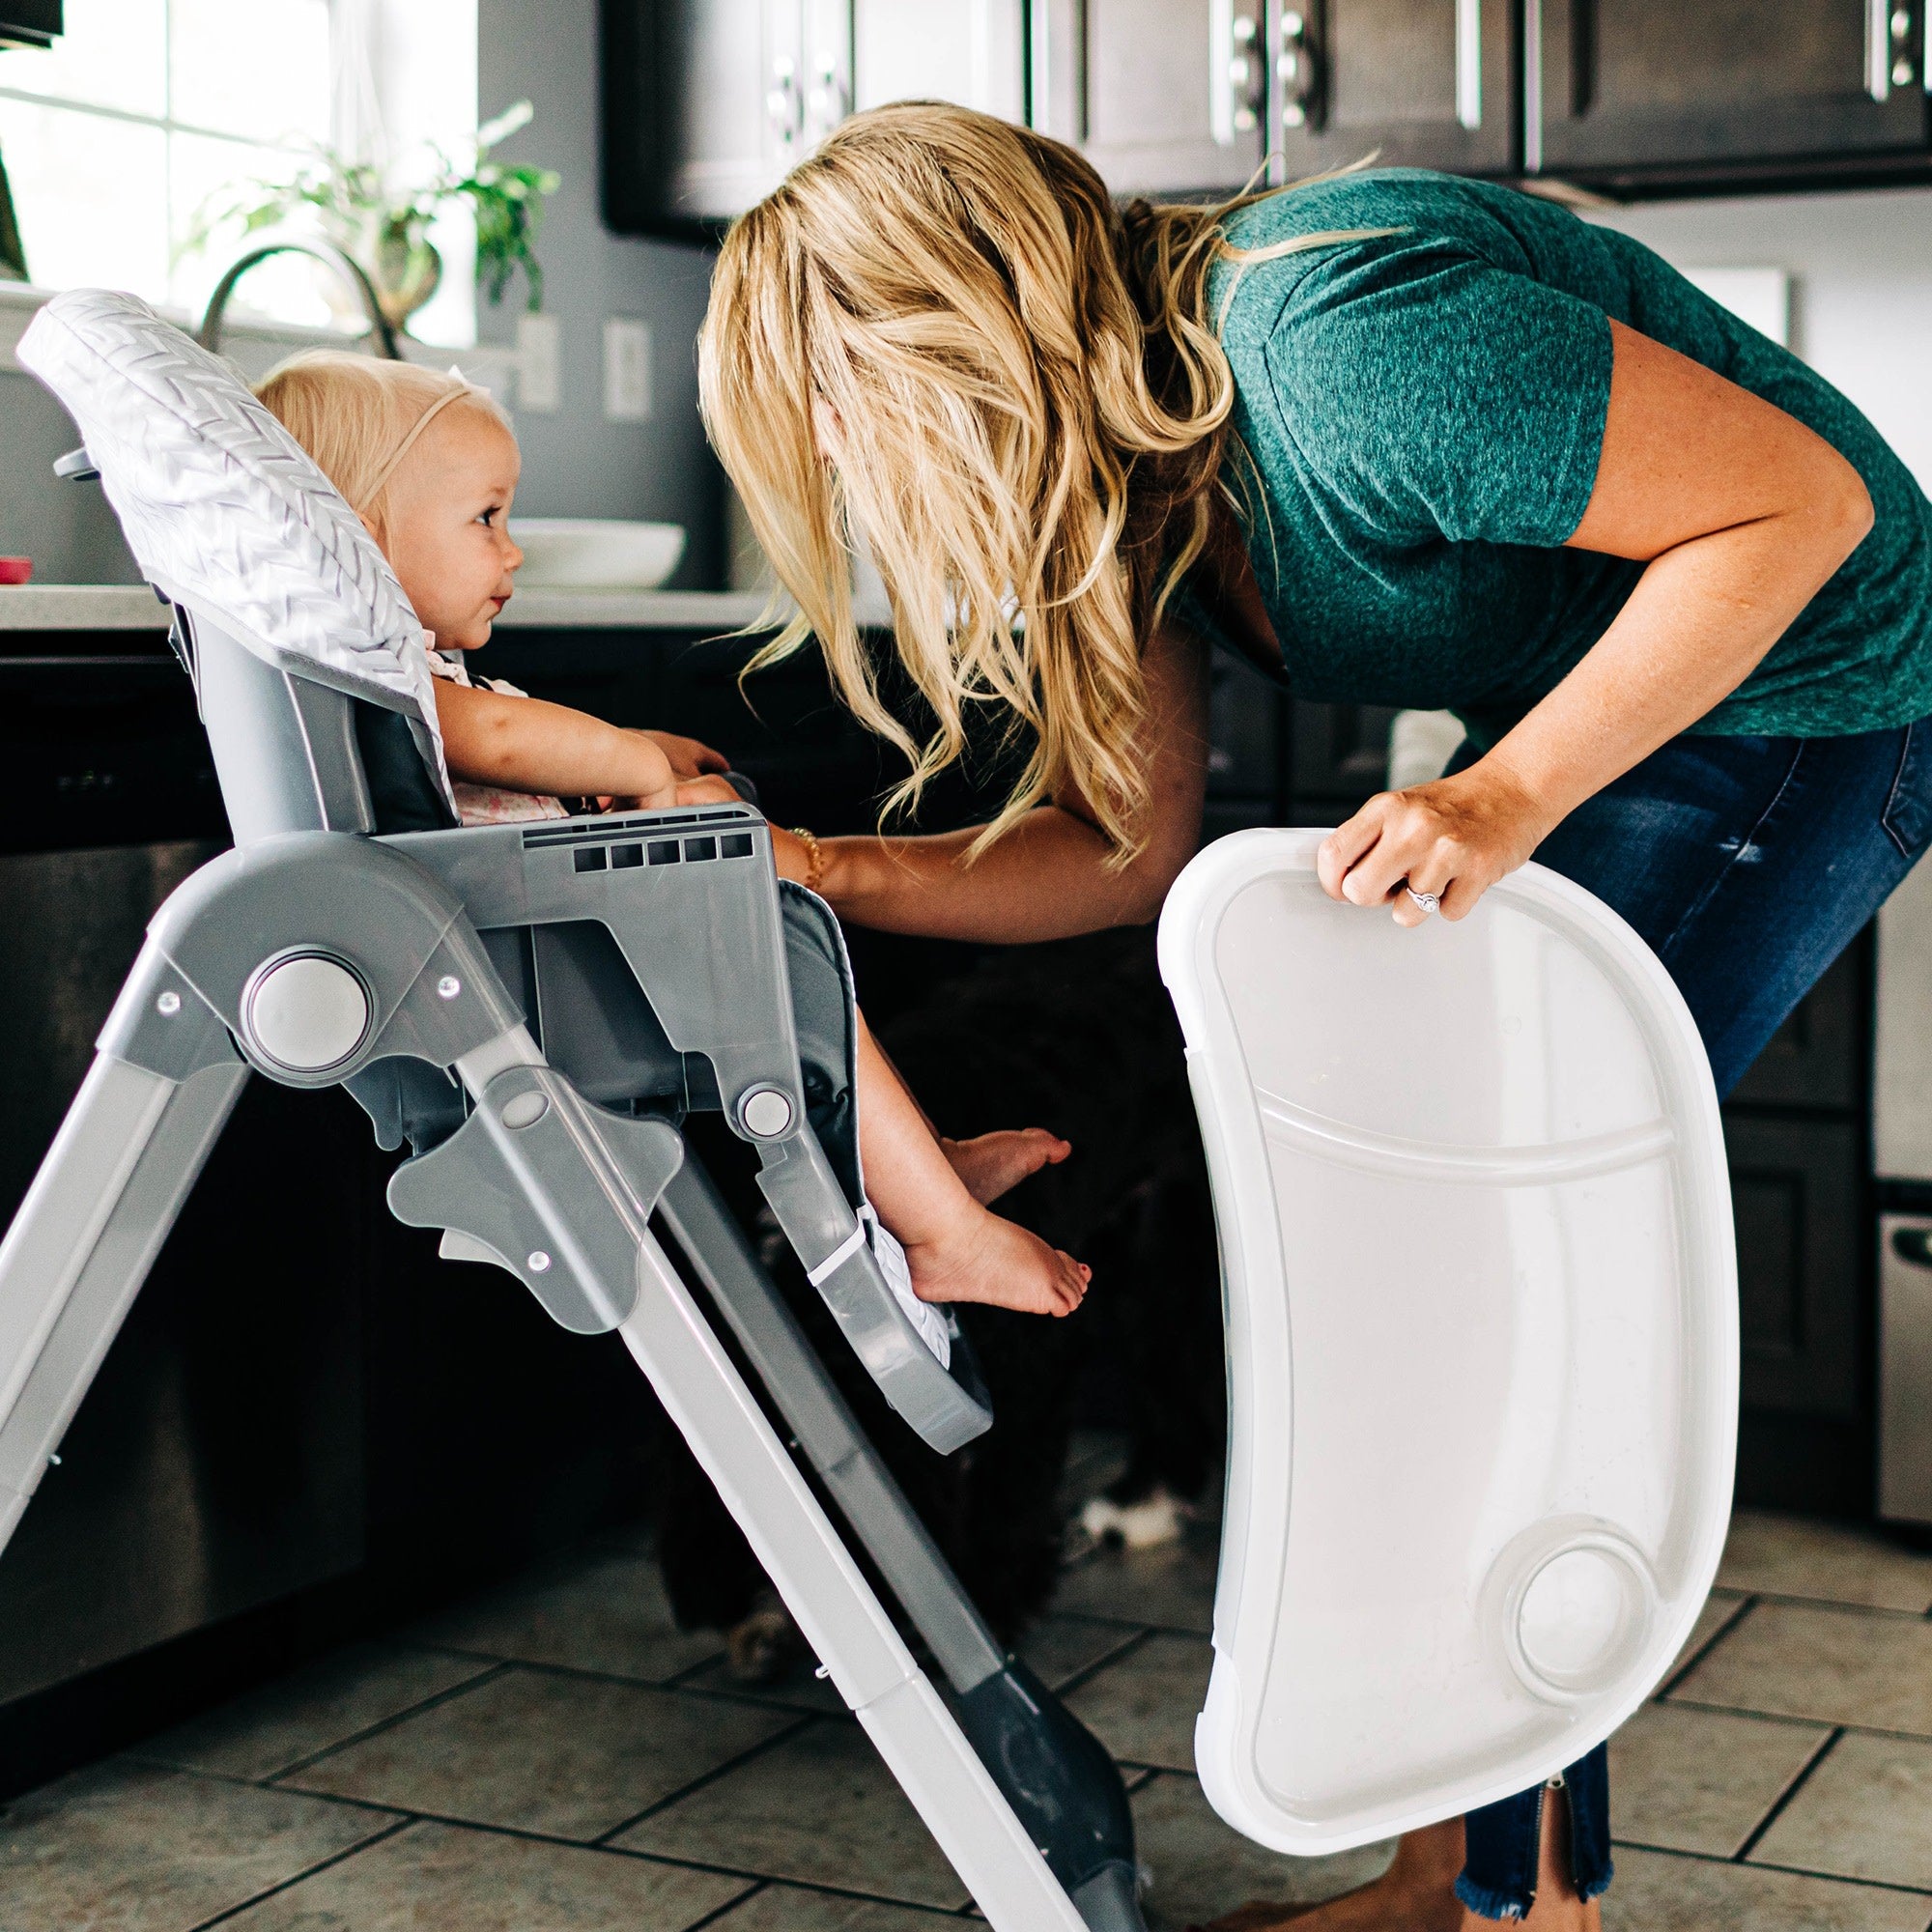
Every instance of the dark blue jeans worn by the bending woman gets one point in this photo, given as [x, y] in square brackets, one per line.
[1747, 865]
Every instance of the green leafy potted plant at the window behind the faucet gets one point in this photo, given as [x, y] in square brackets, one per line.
[382, 221]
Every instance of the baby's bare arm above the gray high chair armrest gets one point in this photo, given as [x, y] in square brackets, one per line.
[526, 745]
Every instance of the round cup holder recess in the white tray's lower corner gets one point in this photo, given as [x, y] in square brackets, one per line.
[1576, 1605]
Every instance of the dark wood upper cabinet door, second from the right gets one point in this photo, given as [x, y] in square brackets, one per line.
[1421, 84]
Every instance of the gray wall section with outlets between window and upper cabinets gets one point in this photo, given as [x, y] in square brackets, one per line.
[575, 463]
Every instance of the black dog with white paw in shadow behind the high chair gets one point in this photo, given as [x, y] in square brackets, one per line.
[1075, 1037]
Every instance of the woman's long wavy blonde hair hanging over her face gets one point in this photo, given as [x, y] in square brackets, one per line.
[942, 339]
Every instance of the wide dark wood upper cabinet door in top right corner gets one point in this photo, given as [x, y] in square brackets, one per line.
[1632, 92]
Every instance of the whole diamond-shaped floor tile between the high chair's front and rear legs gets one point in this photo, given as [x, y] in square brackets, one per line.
[571, 1757]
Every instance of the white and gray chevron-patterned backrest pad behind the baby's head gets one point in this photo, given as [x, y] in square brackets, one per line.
[225, 511]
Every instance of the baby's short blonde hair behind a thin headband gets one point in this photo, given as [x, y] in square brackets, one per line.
[358, 416]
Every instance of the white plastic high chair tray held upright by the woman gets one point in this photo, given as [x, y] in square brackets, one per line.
[1481, 1303]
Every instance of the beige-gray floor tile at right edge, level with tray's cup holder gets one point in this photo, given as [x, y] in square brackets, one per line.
[1836, 1666]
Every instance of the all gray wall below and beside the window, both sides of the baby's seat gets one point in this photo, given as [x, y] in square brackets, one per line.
[575, 463]
